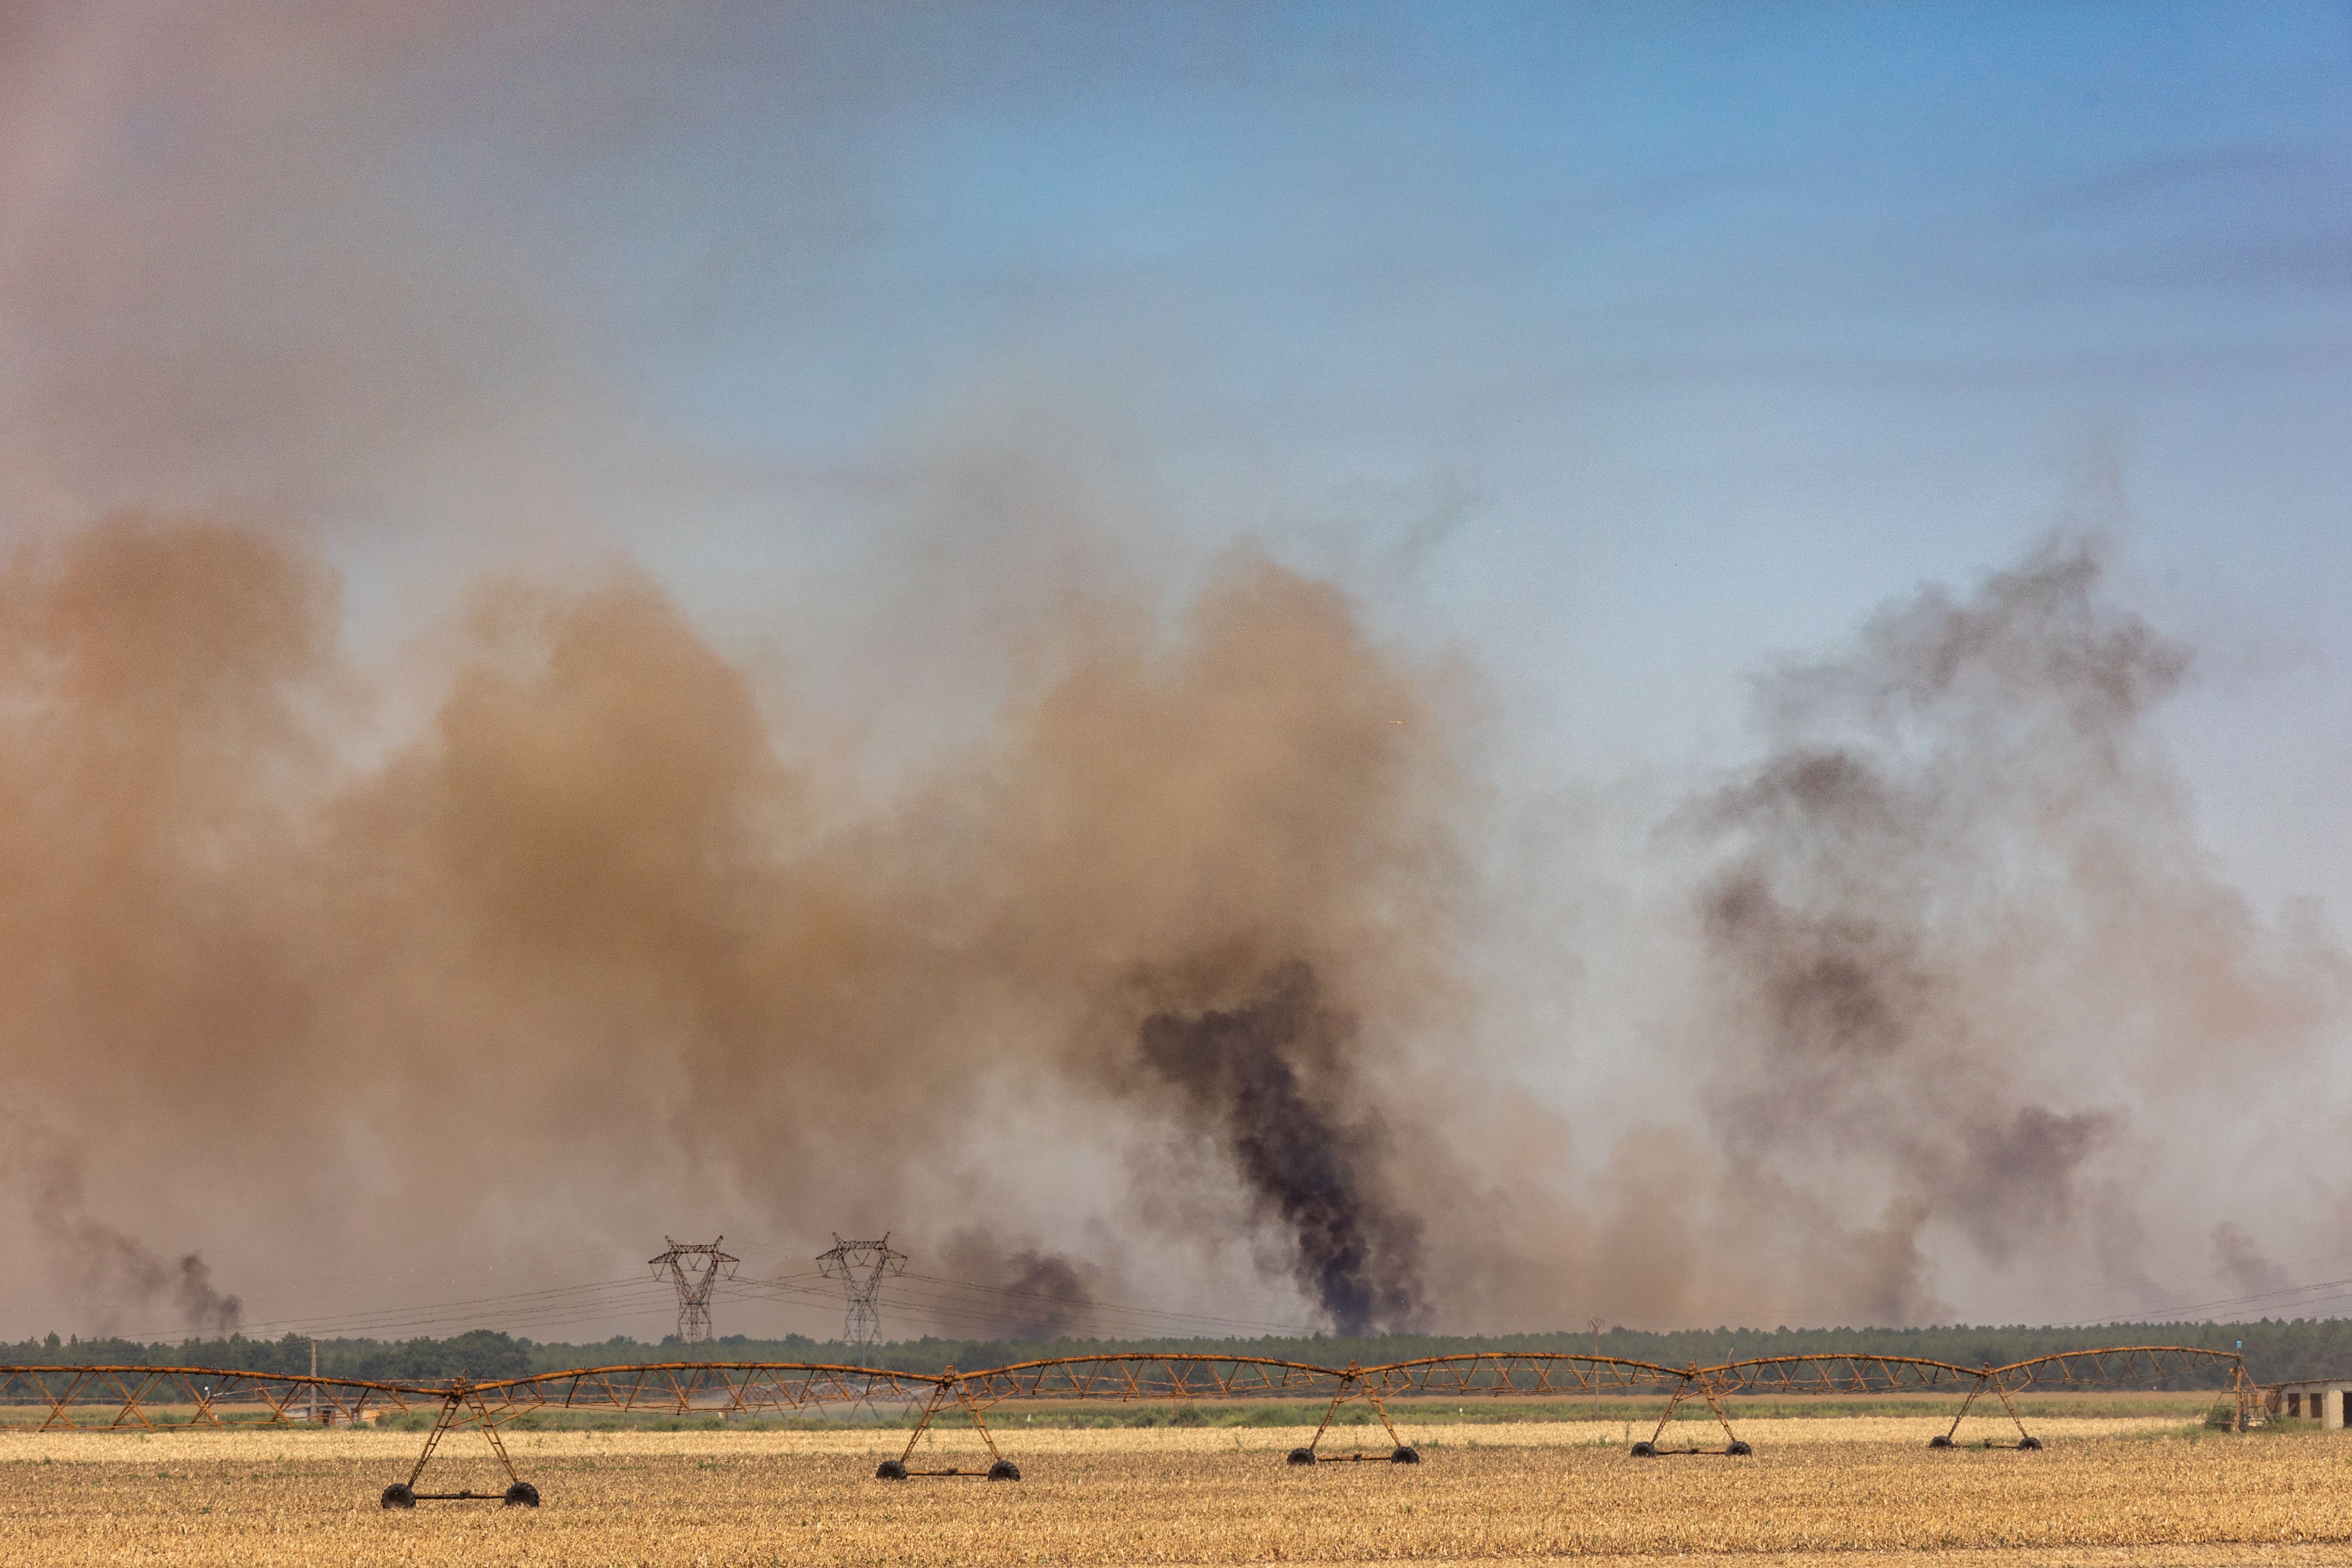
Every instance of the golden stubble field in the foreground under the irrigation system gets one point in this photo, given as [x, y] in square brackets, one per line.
[1857, 1489]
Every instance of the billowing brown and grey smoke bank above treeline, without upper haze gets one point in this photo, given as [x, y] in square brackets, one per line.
[1170, 963]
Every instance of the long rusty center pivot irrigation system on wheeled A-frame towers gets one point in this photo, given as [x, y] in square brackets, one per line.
[149, 1398]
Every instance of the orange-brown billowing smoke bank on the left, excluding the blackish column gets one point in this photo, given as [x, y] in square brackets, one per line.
[584, 930]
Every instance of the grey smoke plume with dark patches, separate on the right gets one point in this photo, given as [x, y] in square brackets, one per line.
[1958, 942]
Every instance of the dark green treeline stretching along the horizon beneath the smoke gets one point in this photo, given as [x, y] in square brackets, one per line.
[2276, 1351]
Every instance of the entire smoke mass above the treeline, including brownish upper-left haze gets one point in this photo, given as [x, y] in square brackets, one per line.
[413, 871]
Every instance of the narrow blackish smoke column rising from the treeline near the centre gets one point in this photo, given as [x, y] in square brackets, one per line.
[1262, 1080]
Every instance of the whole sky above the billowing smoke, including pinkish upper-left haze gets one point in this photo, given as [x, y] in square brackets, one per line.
[1603, 354]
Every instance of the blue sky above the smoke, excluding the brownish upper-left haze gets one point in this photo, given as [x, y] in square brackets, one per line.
[1659, 340]
